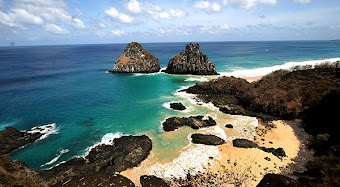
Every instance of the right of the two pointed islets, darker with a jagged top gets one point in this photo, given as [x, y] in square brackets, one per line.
[191, 61]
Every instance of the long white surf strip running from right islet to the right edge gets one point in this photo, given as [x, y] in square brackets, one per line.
[266, 70]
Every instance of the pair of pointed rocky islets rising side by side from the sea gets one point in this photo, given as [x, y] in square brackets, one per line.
[136, 59]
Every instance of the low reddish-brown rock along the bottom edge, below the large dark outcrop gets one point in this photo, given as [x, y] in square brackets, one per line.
[94, 180]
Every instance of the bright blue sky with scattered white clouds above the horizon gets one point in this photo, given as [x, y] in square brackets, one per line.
[57, 22]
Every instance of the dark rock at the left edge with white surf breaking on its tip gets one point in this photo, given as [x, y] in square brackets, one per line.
[12, 139]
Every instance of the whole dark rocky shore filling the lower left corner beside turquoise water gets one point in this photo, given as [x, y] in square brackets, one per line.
[99, 165]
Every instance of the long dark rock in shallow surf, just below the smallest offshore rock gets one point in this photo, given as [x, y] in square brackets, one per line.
[194, 122]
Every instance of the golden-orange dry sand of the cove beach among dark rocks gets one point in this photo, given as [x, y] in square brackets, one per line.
[255, 162]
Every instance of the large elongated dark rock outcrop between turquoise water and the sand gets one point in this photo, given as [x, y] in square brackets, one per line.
[125, 152]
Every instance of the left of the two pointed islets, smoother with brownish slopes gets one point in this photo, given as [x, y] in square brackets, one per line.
[136, 59]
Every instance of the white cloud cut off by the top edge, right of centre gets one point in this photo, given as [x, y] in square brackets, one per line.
[248, 4]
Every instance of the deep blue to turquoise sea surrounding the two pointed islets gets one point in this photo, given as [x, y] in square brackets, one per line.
[68, 85]
